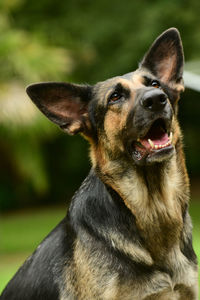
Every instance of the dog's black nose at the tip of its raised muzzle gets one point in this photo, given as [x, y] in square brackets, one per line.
[154, 100]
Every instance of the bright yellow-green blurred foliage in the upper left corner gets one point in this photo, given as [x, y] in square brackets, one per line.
[22, 56]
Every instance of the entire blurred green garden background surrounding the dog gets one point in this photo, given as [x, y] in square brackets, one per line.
[78, 41]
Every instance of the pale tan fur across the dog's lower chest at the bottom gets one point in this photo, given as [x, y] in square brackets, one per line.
[104, 284]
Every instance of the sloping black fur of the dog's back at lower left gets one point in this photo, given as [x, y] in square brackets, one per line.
[38, 276]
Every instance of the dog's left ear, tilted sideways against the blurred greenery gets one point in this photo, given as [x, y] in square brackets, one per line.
[63, 103]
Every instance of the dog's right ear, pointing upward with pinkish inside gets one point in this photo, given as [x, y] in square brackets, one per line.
[165, 58]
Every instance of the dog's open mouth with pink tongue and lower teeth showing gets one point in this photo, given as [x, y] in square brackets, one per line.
[156, 141]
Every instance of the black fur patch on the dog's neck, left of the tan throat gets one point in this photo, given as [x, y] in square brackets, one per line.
[94, 202]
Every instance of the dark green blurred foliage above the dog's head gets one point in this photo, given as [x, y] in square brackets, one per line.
[110, 31]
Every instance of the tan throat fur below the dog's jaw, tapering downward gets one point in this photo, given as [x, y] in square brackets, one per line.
[154, 213]
